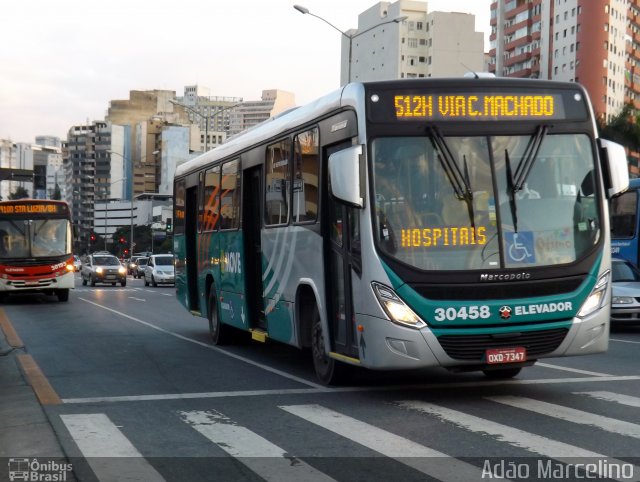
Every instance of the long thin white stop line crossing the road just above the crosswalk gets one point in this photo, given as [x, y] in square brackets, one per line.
[311, 391]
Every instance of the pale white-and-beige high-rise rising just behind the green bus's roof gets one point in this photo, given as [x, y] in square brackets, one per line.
[404, 40]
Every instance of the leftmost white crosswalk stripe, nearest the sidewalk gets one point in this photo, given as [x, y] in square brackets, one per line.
[99, 440]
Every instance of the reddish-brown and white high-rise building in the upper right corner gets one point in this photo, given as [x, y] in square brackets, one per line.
[587, 41]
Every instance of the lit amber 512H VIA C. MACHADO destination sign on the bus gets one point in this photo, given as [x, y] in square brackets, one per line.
[543, 105]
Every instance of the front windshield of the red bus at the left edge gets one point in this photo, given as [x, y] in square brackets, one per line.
[34, 238]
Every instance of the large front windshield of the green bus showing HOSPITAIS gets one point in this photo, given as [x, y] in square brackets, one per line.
[485, 202]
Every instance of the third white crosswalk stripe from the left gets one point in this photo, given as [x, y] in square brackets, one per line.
[428, 461]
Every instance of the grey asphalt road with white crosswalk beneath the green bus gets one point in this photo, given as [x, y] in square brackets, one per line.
[145, 396]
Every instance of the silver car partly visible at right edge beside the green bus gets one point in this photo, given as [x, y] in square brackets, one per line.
[625, 293]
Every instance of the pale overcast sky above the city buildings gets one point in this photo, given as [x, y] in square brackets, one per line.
[61, 62]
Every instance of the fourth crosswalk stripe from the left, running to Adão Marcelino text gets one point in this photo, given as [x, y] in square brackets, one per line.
[538, 444]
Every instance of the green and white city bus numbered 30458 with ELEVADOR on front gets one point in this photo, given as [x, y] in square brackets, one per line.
[459, 223]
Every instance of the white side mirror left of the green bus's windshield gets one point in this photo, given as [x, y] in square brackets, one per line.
[344, 175]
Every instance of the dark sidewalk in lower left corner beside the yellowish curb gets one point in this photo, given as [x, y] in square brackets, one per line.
[25, 430]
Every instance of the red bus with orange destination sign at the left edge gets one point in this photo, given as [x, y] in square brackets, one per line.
[36, 248]
